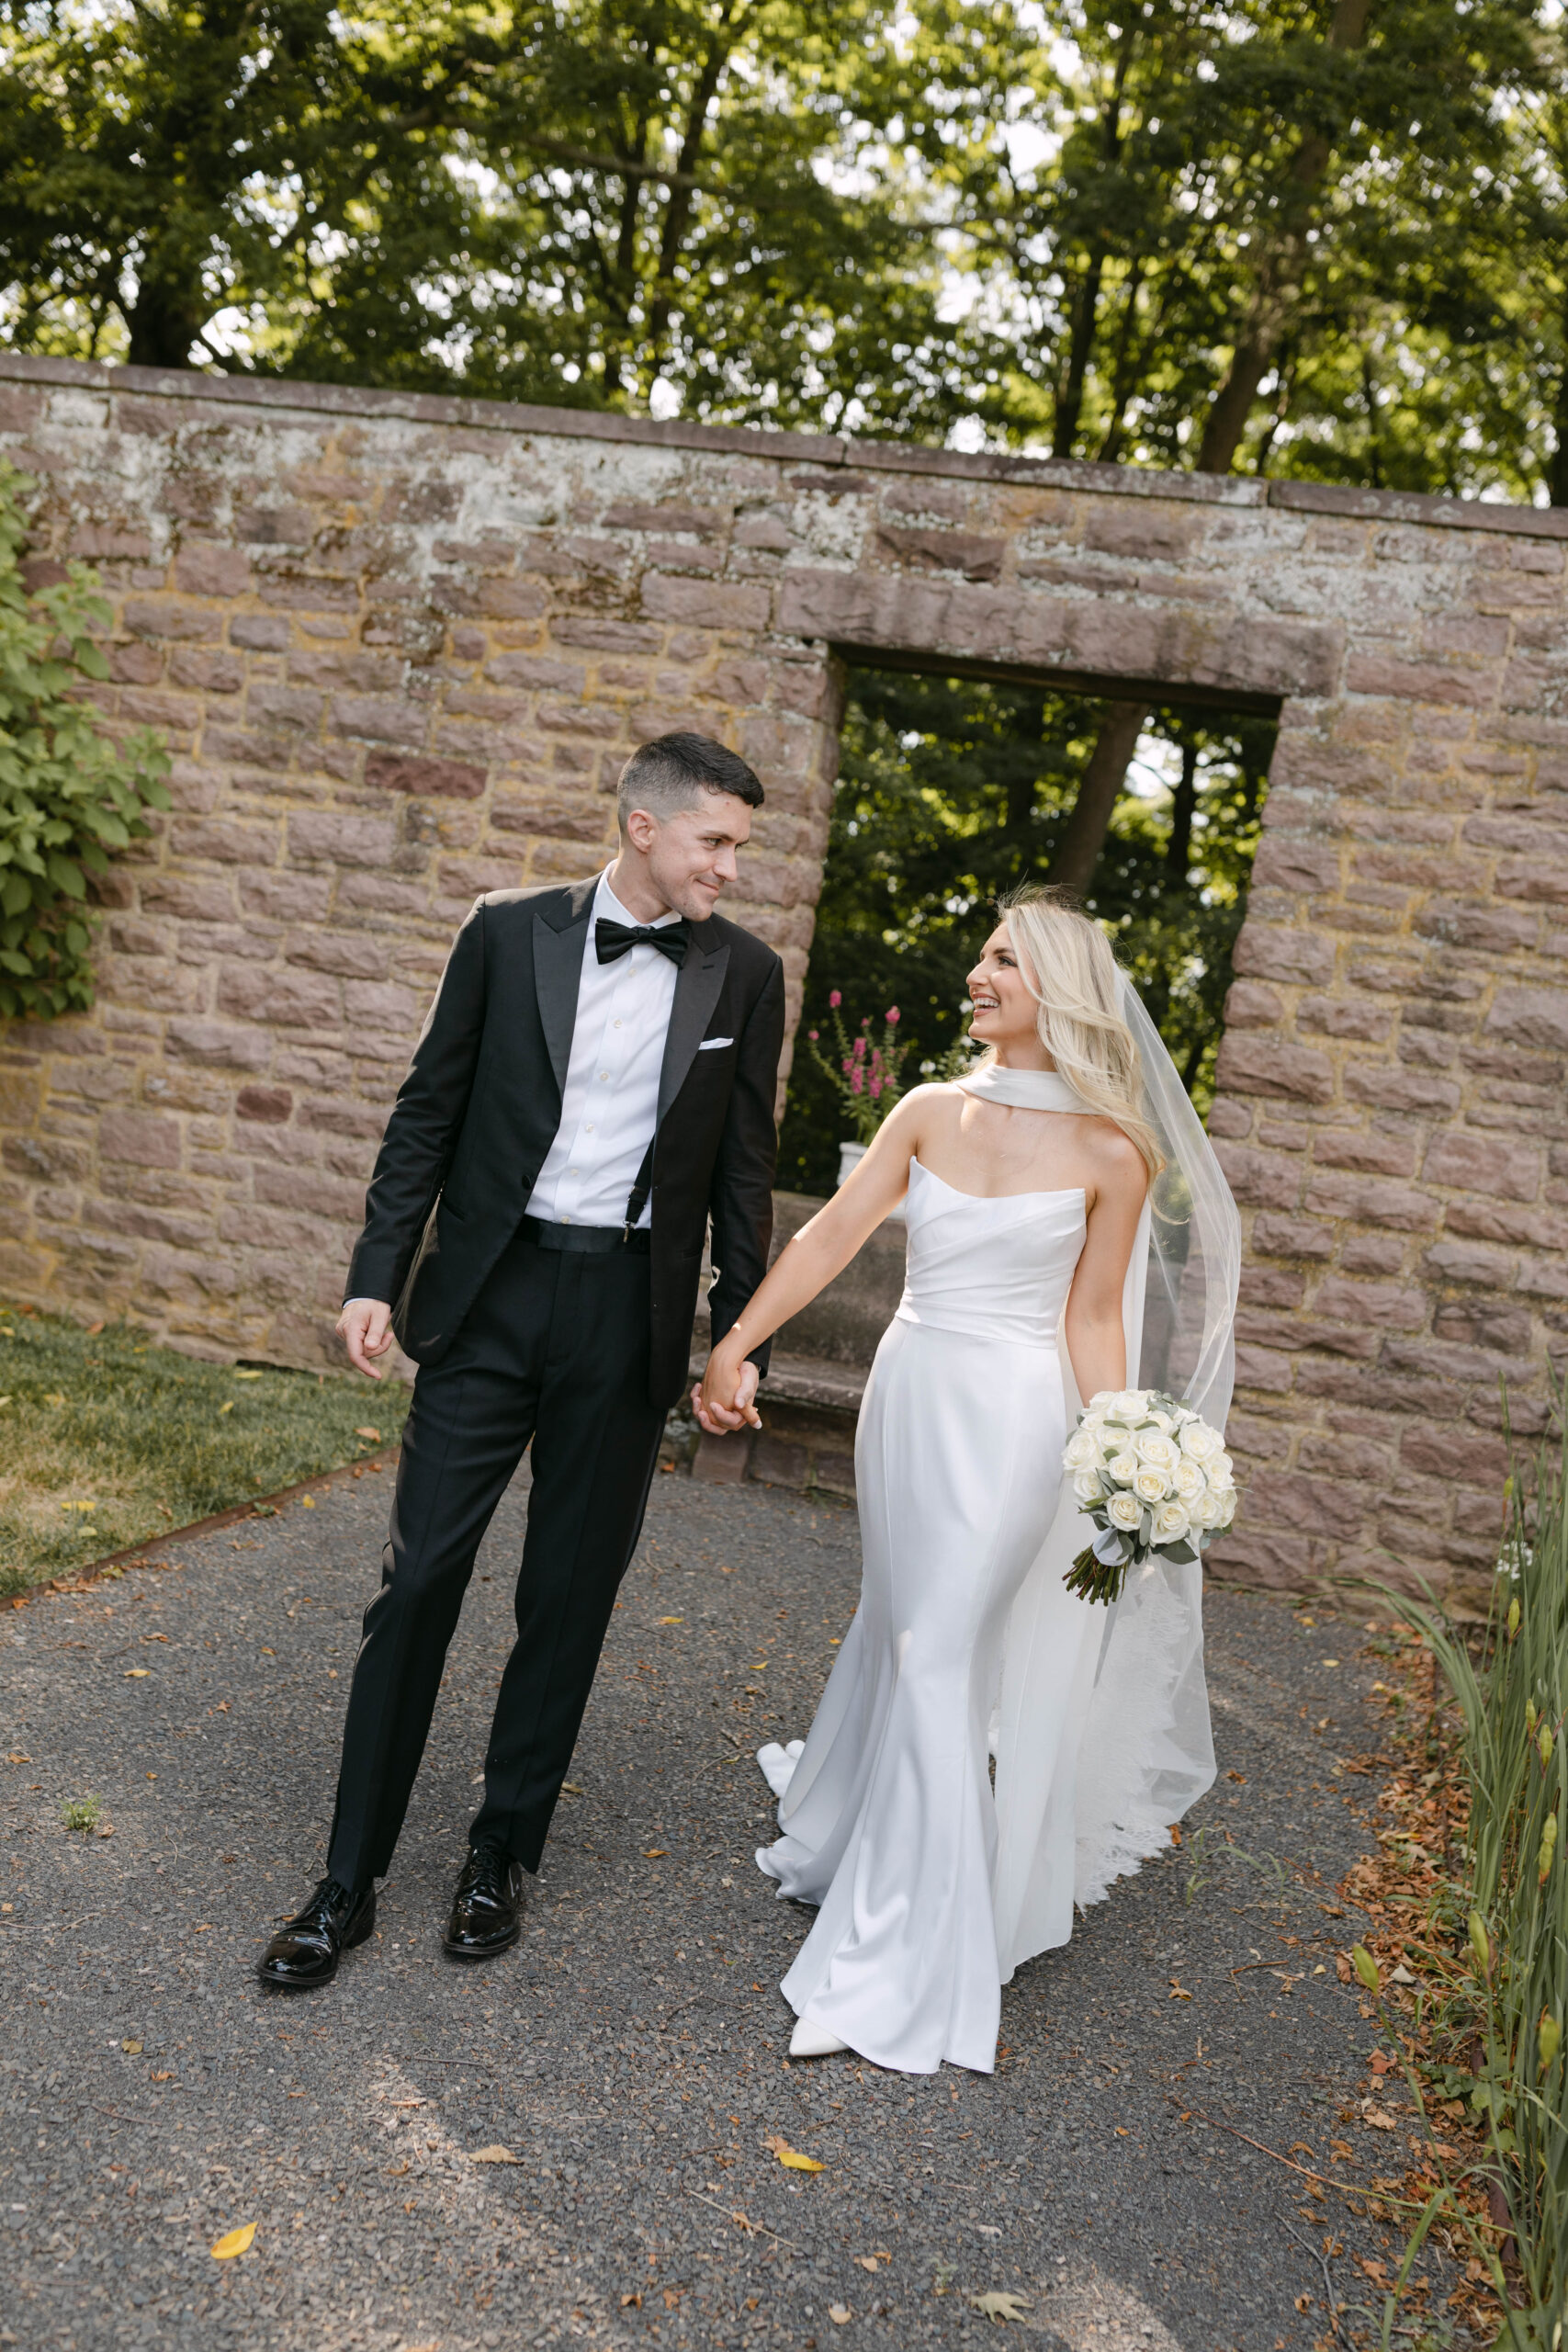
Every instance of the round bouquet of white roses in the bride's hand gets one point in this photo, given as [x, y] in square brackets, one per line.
[1153, 1478]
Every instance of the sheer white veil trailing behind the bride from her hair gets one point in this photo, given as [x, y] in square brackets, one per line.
[1104, 1713]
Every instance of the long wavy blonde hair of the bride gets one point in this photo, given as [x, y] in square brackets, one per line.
[1073, 977]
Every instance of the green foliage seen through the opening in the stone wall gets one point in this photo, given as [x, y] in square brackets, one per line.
[956, 789]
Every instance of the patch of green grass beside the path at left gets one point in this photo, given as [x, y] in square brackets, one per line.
[109, 1441]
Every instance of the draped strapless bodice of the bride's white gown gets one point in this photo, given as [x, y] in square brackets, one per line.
[991, 1269]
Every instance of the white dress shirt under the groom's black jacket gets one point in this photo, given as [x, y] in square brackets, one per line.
[610, 1102]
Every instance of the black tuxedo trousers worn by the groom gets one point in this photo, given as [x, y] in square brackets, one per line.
[558, 1354]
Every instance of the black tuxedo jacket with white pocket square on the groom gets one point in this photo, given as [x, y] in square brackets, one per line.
[483, 1100]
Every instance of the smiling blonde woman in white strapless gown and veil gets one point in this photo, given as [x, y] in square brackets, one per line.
[1066, 1220]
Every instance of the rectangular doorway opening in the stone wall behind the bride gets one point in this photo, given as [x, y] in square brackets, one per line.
[958, 782]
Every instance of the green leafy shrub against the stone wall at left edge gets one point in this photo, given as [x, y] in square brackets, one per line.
[69, 796]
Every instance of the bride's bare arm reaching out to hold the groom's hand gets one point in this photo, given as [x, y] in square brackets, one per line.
[808, 1267]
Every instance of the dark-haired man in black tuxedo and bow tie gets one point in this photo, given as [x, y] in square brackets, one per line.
[591, 1088]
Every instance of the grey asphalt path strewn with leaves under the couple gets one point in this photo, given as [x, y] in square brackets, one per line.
[631, 2052]
